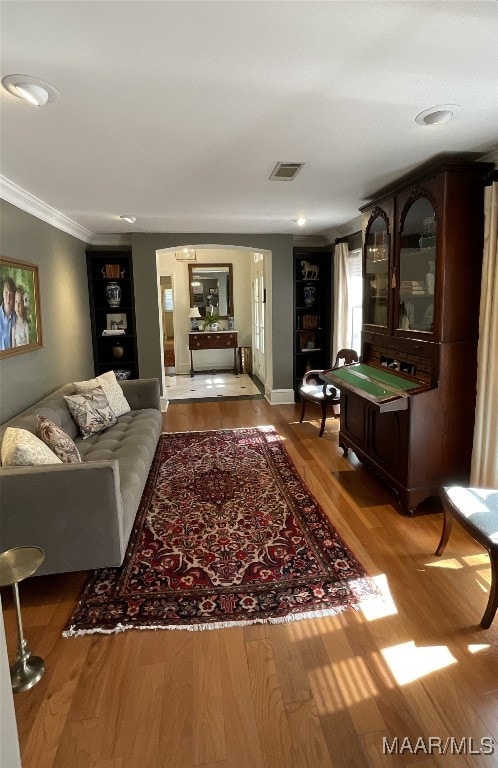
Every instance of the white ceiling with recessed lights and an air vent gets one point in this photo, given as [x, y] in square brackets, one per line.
[177, 112]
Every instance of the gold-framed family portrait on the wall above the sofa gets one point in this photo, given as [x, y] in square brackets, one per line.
[20, 318]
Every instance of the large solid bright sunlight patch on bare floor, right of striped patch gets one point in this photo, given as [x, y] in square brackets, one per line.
[408, 662]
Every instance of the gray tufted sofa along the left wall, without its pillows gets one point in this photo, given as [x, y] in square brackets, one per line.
[82, 514]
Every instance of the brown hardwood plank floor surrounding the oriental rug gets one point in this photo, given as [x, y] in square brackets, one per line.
[319, 693]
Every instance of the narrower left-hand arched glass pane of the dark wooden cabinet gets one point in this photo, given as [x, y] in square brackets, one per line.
[376, 273]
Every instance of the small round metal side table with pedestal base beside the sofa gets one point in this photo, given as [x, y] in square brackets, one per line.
[16, 565]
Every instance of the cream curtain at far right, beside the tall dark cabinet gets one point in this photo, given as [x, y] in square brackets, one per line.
[484, 473]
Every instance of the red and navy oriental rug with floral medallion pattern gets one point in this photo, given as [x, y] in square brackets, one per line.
[227, 534]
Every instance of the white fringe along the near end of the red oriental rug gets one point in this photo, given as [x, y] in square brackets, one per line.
[71, 632]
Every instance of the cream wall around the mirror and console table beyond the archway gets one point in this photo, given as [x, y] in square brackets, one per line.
[241, 266]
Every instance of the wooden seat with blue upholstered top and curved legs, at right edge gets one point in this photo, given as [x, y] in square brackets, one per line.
[476, 509]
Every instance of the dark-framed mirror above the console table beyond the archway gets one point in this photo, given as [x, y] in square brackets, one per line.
[211, 289]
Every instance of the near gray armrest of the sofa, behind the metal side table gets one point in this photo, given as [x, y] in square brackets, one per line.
[72, 511]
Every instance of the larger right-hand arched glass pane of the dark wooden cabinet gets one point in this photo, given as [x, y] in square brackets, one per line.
[417, 274]
